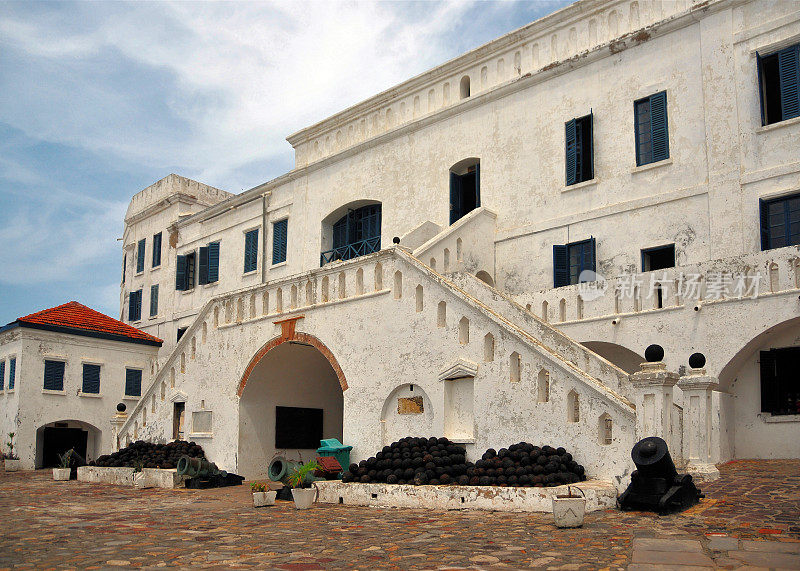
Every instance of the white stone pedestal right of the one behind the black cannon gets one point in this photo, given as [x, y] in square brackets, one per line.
[697, 387]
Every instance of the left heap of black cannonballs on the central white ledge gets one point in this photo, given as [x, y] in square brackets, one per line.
[417, 461]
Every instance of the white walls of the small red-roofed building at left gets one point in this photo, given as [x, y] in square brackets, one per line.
[28, 409]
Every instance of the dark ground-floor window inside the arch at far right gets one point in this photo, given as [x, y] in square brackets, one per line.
[780, 383]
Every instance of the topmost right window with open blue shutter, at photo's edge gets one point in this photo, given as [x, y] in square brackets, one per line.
[779, 81]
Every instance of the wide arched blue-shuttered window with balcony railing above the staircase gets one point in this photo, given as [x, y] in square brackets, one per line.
[355, 234]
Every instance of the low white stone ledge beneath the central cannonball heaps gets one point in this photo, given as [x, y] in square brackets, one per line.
[600, 495]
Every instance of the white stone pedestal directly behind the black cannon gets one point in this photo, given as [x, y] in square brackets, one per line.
[653, 399]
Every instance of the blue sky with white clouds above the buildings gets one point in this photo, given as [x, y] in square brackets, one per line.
[99, 100]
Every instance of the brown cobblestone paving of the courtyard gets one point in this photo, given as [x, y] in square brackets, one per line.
[751, 511]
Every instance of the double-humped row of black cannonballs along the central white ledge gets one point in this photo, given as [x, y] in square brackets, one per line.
[438, 461]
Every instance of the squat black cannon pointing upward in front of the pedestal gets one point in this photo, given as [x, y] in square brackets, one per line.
[655, 484]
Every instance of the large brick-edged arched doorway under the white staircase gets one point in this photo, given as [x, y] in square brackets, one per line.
[290, 400]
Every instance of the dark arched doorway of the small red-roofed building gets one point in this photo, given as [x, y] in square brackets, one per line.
[55, 438]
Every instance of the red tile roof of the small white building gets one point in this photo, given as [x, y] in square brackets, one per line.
[76, 318]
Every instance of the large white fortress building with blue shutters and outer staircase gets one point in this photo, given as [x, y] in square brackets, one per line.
[614, 175]
